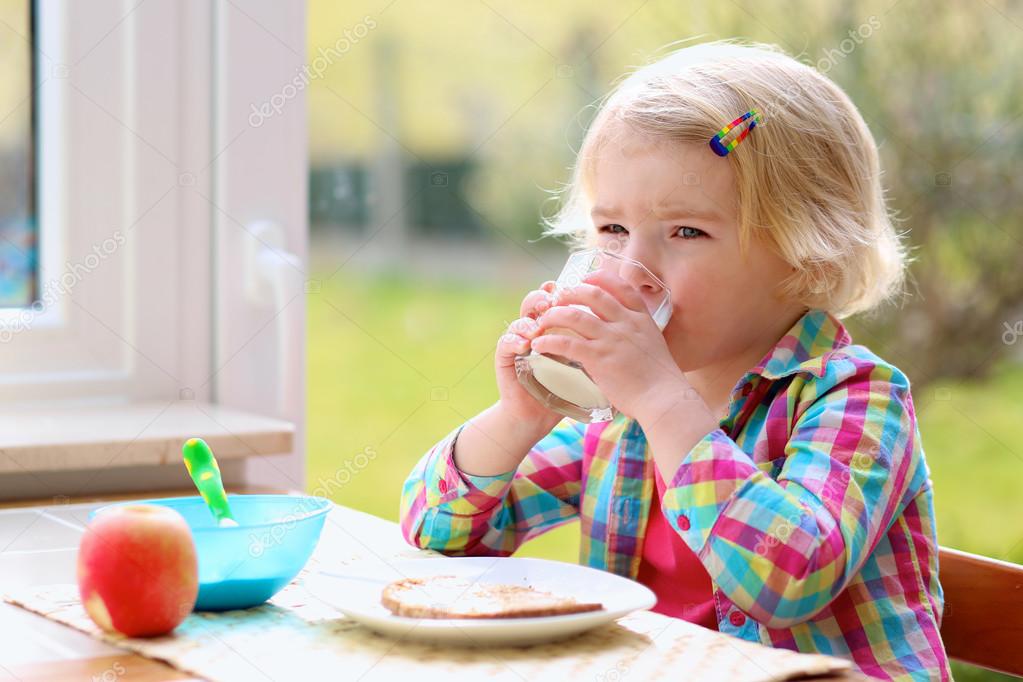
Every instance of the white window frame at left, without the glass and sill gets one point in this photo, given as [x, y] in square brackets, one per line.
[144, 112]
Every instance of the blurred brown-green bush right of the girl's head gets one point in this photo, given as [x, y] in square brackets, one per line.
[943, 98]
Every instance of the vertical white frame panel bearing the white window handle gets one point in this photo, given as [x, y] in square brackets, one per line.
[261, 224]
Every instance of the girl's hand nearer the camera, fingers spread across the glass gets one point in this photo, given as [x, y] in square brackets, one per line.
[621, 348]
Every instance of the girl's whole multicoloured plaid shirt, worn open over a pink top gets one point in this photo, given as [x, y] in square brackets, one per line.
[811, 507]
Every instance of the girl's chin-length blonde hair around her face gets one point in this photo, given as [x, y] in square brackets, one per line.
[809, 178]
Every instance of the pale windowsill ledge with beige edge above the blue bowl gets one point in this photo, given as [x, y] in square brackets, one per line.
[42, 439]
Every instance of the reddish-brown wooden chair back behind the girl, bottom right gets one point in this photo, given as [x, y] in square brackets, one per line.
[983, 624]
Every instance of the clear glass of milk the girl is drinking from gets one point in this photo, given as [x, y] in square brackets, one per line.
[563, 385]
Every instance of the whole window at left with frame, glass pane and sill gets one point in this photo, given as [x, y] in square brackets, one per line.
[166, 297]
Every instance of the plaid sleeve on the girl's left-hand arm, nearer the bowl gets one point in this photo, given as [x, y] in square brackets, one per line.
[454, 513]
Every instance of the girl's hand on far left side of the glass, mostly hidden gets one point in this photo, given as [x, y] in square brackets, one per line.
[515, 402]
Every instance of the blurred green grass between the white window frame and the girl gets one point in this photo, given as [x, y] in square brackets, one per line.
[394, 366]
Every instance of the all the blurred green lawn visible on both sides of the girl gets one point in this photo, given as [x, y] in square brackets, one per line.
[395, 365]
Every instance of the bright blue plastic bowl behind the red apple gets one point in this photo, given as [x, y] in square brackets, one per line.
[245, 566]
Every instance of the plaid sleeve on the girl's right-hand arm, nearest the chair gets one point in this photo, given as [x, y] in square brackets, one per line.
[783, 539]
